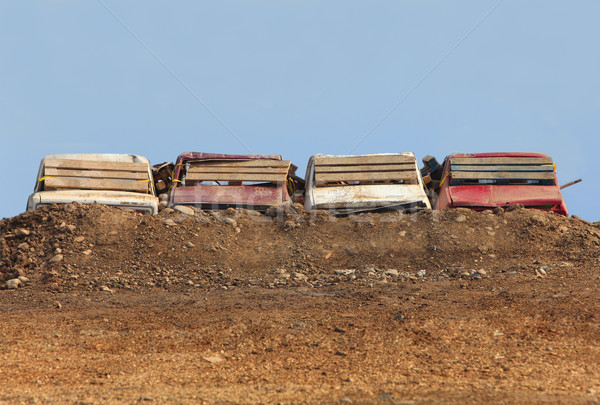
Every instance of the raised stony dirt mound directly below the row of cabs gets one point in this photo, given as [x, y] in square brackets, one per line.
[91, 247]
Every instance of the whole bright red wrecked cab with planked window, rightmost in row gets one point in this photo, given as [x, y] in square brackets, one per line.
[533, 185]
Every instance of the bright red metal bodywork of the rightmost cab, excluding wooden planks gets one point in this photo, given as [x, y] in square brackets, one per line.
[488, 196]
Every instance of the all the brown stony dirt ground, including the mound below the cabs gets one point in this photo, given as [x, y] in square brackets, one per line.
[238, 307]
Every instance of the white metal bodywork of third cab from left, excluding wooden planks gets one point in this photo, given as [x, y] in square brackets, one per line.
[364, 197]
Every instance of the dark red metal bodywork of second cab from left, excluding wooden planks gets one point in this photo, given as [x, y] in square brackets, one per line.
[209, 196]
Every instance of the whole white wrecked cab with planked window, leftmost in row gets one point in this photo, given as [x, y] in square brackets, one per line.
[118, 180]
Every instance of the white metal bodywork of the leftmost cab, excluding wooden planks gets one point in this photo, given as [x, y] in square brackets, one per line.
[144, 202]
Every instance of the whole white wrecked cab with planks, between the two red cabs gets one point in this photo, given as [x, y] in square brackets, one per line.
[346, 184]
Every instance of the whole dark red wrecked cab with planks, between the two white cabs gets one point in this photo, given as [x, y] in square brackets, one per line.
[213, 181]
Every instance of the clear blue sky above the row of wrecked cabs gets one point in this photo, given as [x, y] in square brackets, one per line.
[298, 78]
